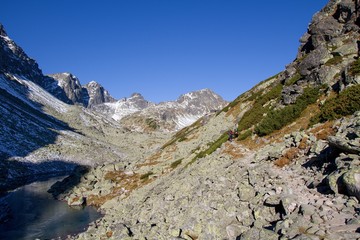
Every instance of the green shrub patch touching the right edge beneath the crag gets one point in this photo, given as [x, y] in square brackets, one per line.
[345, 103]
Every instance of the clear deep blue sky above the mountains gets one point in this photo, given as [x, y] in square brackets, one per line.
[161, 48]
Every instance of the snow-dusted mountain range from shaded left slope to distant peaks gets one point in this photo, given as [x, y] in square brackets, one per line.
[45, 117]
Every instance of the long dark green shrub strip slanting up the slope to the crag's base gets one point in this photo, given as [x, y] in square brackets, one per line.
[276, 119]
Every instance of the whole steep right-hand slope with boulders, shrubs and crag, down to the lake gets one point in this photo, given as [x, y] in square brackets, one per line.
[292, 173]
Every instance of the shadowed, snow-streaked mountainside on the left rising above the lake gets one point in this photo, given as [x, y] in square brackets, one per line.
[36, 137]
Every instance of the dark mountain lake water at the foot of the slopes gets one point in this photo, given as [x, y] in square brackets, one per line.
[35, 215]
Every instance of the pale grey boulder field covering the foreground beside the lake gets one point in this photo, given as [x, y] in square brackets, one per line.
[304, 187]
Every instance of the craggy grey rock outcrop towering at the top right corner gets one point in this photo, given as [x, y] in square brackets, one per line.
[327, 49]
